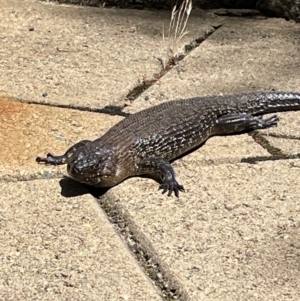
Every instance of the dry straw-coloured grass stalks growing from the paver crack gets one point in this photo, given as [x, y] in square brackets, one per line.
[177, 30]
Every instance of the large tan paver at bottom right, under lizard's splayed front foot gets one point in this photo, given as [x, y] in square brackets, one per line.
[232, 236]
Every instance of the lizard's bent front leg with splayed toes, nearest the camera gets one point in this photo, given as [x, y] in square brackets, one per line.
[166, 172]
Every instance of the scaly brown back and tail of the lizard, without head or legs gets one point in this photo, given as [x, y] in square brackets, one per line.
[175, 127]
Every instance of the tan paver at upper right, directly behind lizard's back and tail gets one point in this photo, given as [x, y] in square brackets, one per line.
[243, 55]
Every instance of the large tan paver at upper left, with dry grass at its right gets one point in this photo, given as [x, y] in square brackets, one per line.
[81, 55]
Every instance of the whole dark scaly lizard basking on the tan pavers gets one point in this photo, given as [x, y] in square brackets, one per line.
[145, 142]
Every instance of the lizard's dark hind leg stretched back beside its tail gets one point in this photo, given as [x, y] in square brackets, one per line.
[237, 123]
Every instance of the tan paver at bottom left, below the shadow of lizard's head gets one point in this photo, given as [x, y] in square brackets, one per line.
[57, 248]
